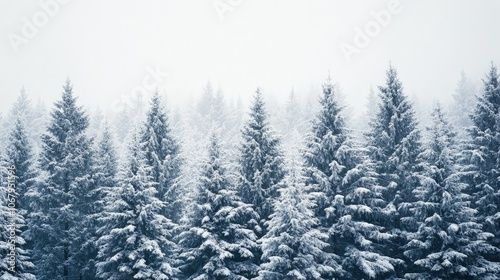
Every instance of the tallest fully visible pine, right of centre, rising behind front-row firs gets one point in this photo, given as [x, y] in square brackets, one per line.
[394, 139]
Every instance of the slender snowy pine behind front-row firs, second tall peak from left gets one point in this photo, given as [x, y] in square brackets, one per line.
[162, 155]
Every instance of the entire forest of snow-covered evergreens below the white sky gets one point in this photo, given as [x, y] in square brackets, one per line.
[299, 193]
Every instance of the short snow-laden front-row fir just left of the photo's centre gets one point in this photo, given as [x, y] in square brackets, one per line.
[217, 245]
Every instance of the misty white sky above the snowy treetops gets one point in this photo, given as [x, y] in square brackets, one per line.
[106, 47]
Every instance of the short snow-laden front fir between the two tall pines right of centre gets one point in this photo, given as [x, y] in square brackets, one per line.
[360, 234]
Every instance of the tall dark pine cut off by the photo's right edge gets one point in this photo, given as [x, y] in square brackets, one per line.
[483, 157]
